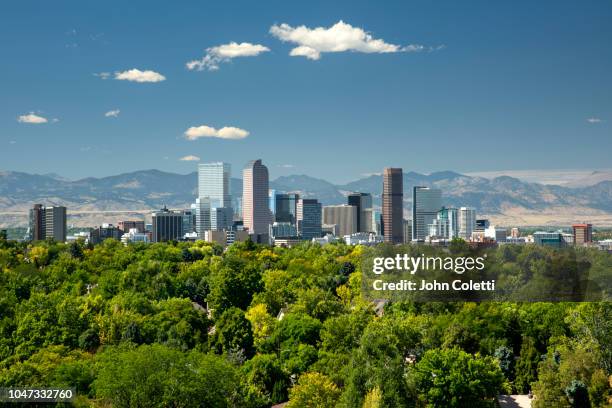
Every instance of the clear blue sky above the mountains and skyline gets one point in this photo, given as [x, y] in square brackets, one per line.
[496, 86]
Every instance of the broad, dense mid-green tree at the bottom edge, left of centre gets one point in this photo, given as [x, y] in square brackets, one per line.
[156, 375]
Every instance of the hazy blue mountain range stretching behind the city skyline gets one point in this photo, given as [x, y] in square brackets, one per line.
[141, 191]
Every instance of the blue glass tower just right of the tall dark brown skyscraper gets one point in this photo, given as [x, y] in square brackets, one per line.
[426, 202]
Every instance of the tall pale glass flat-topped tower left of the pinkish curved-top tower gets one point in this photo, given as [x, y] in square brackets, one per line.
[214, 185]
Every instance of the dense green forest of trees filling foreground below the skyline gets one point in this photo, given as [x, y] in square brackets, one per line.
[191, 325]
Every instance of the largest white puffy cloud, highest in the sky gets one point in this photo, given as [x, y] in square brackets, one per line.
[340, 37]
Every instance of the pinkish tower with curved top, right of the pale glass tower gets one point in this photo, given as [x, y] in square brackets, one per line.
[255, 203]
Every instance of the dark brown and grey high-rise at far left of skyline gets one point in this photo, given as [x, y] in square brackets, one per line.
[47, 223]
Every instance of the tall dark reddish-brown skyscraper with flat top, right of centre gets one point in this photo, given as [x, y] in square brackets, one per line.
[393, 207]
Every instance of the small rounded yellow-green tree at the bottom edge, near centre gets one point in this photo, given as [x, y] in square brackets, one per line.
[313, 390]
